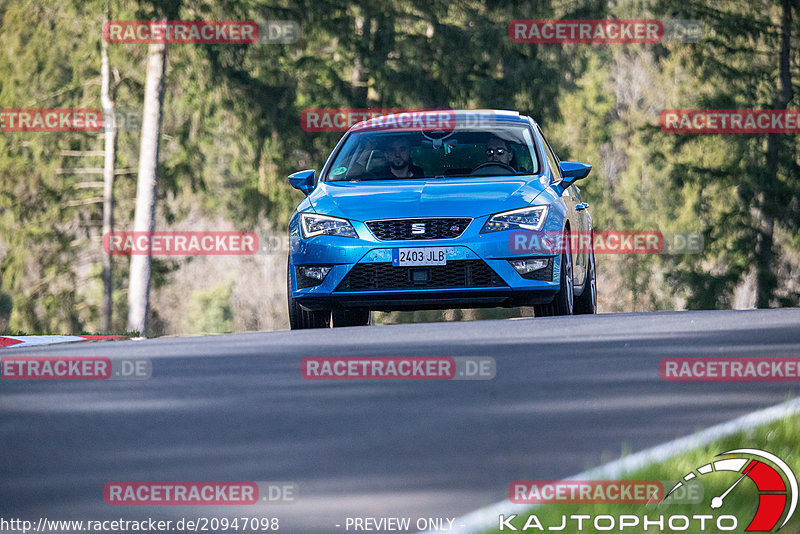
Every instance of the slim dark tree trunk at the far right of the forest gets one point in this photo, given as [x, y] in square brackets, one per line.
[766, 279]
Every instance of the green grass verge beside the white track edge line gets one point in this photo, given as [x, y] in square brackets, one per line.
[781, 438]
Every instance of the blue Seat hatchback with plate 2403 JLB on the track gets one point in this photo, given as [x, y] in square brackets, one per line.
[437, 210]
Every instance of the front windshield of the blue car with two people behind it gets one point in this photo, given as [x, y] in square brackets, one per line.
[387, 155]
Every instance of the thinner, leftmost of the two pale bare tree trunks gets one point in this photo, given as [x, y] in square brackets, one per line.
[110, 135]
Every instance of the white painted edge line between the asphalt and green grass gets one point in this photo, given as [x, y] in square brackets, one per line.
[485, 519]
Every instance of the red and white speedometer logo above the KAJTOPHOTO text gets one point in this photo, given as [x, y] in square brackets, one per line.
[777, 486]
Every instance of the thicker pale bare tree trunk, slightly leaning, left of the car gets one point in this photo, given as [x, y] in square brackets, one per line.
[139, 287]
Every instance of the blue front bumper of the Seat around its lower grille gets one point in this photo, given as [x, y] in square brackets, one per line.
[477, 274]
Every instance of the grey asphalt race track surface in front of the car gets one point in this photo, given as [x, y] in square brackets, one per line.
[569, 394]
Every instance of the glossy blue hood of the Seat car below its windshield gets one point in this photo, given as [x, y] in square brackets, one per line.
[435, 197]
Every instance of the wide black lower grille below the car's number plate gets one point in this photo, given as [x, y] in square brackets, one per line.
[384, 276]
